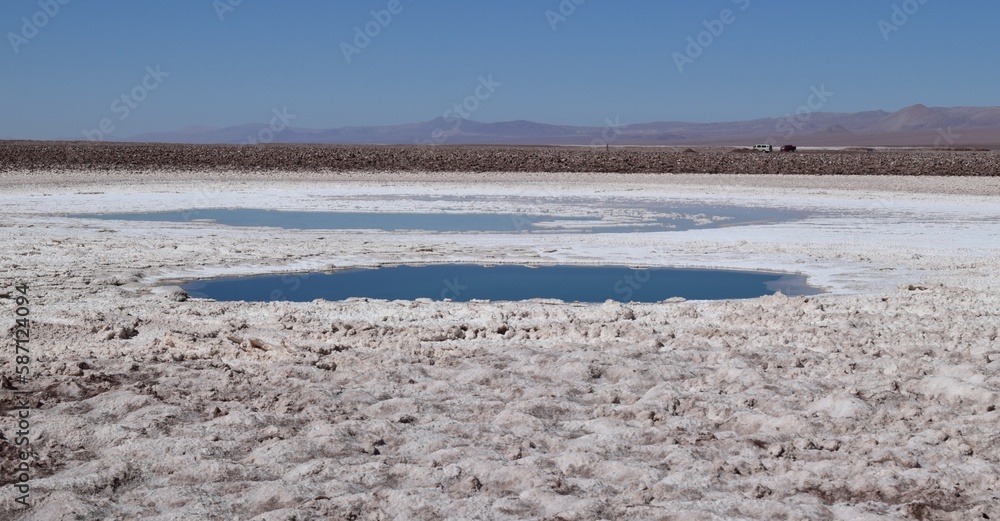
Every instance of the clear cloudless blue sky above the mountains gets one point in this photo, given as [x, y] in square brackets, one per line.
[228, 62]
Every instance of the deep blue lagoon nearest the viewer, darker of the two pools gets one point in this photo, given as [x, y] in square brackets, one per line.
[465, 282]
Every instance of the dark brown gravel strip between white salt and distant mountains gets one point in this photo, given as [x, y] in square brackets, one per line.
[61, 155]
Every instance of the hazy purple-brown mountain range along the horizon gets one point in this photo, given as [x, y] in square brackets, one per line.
[916, 125]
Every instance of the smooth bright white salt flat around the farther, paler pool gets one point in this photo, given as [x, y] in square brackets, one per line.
[850, 241]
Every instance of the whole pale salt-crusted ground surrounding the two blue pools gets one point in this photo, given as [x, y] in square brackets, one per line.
[876, 400]
